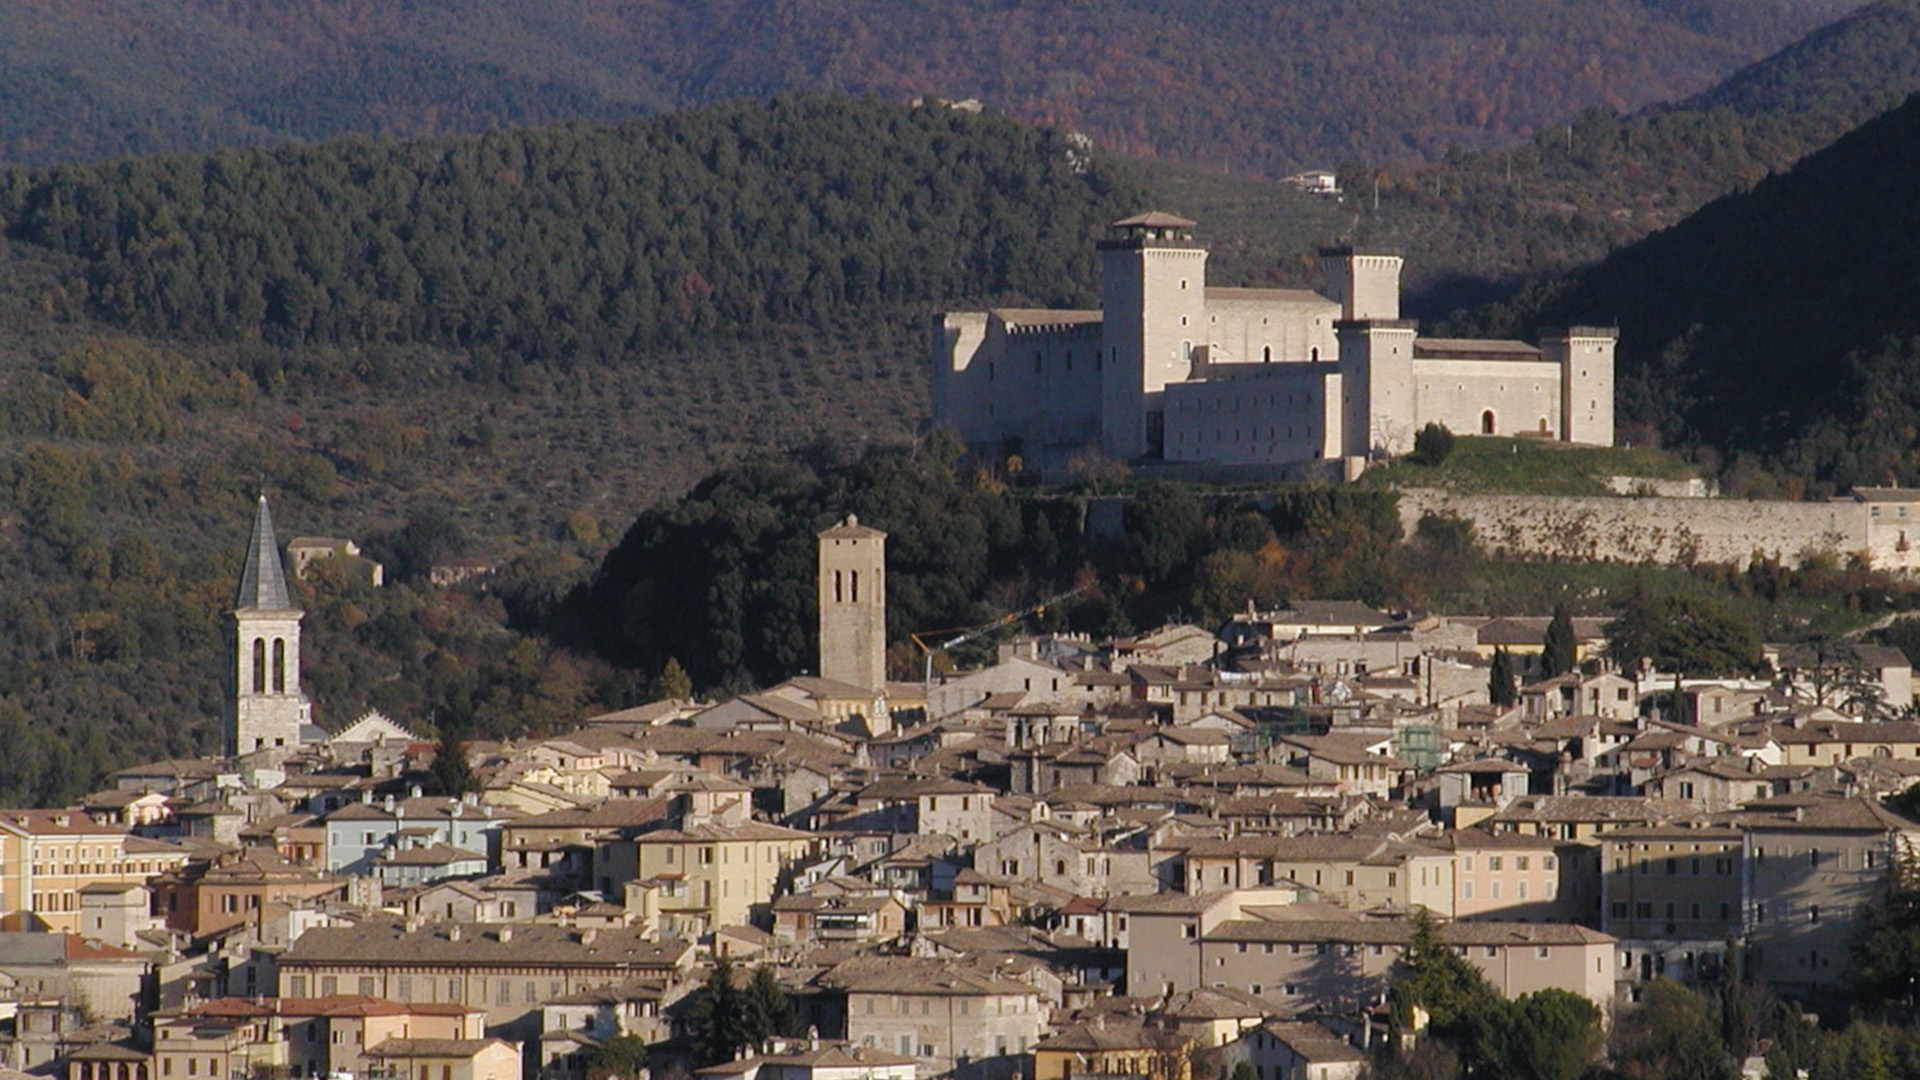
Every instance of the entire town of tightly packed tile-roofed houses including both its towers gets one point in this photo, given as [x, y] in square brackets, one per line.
[1161, 856]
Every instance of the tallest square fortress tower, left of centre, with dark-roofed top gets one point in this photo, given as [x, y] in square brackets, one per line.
[1153, 303]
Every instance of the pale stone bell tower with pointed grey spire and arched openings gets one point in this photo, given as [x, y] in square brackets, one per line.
[264, 702]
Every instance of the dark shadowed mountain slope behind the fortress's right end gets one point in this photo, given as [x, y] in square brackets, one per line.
[1779, 322]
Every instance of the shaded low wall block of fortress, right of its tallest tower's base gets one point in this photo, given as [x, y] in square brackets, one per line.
[1262, 420]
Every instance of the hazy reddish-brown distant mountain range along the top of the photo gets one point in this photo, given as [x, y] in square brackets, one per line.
[1257, 87]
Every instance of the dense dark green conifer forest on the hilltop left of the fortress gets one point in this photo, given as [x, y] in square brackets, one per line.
[567, 243]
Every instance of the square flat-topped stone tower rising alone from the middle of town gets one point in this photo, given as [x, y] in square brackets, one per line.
[853, 606]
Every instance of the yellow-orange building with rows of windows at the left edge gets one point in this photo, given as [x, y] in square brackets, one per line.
[49, 856]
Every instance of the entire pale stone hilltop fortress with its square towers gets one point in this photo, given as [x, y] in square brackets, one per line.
[1170, 370]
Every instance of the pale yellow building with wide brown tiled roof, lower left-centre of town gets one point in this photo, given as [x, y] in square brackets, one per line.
[717, 875]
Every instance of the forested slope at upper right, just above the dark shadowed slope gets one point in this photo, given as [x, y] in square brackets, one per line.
[1479, 224]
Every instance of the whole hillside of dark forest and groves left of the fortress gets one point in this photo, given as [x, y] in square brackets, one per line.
[642, 305]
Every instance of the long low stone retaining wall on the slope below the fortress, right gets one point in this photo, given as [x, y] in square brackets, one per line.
[1668, 531]
